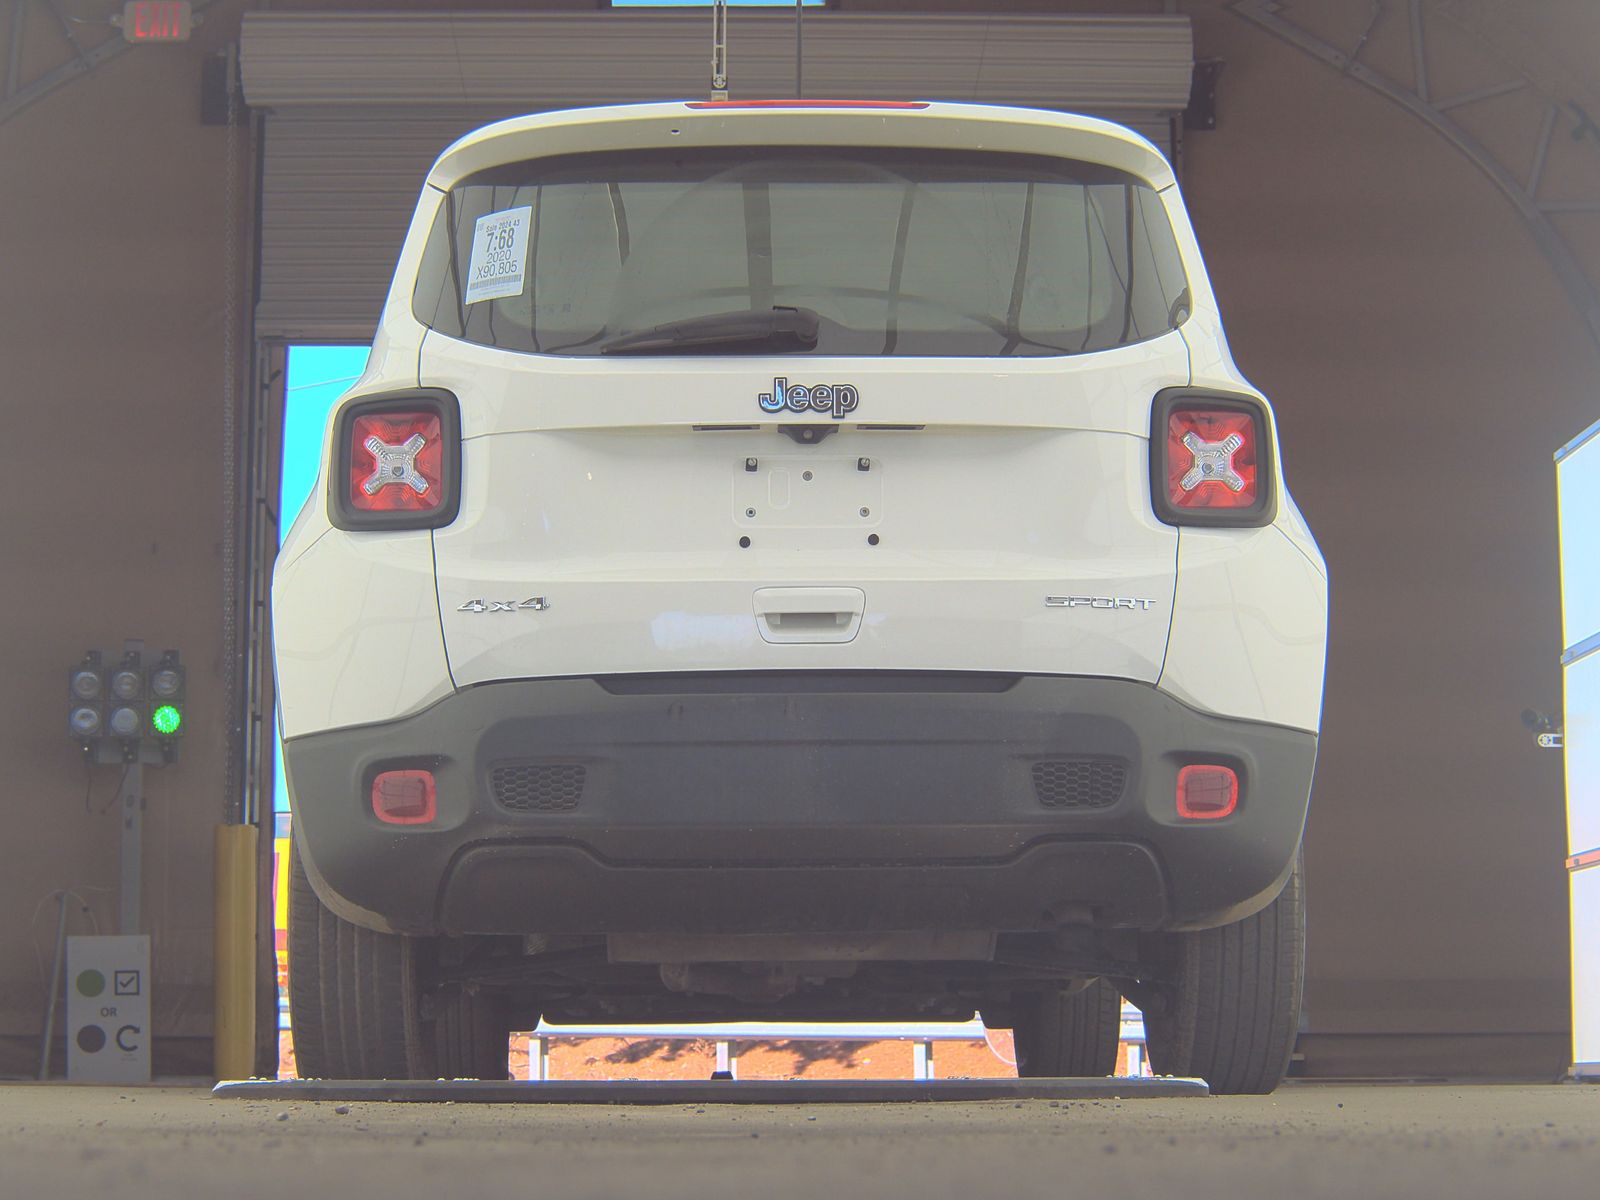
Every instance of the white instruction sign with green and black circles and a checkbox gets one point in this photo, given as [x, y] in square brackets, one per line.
[110, 1010]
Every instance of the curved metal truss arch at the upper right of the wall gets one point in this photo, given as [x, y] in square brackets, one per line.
[1418, 98]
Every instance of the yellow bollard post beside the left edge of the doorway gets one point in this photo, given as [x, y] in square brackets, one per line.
[234, 953]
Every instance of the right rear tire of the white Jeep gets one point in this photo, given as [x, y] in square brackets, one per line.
[1234, 1014]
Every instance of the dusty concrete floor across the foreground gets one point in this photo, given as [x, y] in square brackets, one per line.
[1306, 1142]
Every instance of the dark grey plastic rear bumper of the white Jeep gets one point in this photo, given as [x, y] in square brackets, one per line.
[801, 802]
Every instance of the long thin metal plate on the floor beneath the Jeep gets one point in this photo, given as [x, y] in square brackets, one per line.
[710, 1092]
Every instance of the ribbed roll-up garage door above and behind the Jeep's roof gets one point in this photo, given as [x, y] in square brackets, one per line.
[361, 105]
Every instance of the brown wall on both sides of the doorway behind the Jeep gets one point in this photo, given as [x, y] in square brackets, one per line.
[1422, 356]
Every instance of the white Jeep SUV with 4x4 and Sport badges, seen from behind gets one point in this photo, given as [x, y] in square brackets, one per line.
[801, 561]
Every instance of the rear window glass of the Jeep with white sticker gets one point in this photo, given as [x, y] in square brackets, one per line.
[886, 252]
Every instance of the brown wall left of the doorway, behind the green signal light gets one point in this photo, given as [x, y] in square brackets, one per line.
[111, 383]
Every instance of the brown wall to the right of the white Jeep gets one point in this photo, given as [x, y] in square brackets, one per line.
[1425, 366]
